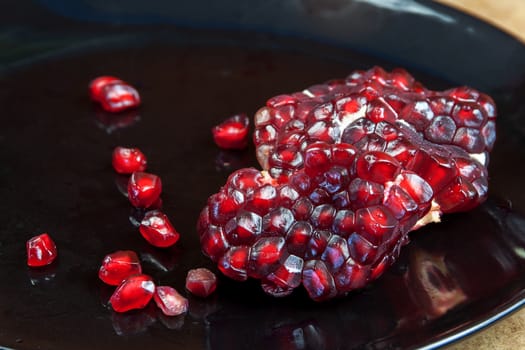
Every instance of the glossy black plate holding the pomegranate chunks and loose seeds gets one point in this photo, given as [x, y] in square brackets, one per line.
[196, 63]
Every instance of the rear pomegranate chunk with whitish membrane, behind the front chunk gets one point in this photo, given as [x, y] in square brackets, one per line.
[379, 112]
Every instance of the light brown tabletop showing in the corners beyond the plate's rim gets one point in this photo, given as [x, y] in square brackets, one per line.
[509, 15]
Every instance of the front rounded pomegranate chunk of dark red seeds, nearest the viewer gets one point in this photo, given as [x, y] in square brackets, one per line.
[286, 241]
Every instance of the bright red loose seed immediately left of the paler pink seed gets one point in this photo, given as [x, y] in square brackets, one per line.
[135, 292]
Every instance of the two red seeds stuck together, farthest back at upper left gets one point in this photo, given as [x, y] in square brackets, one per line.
[113, 94]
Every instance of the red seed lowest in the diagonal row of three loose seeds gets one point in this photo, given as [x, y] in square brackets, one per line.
[157, 229]
